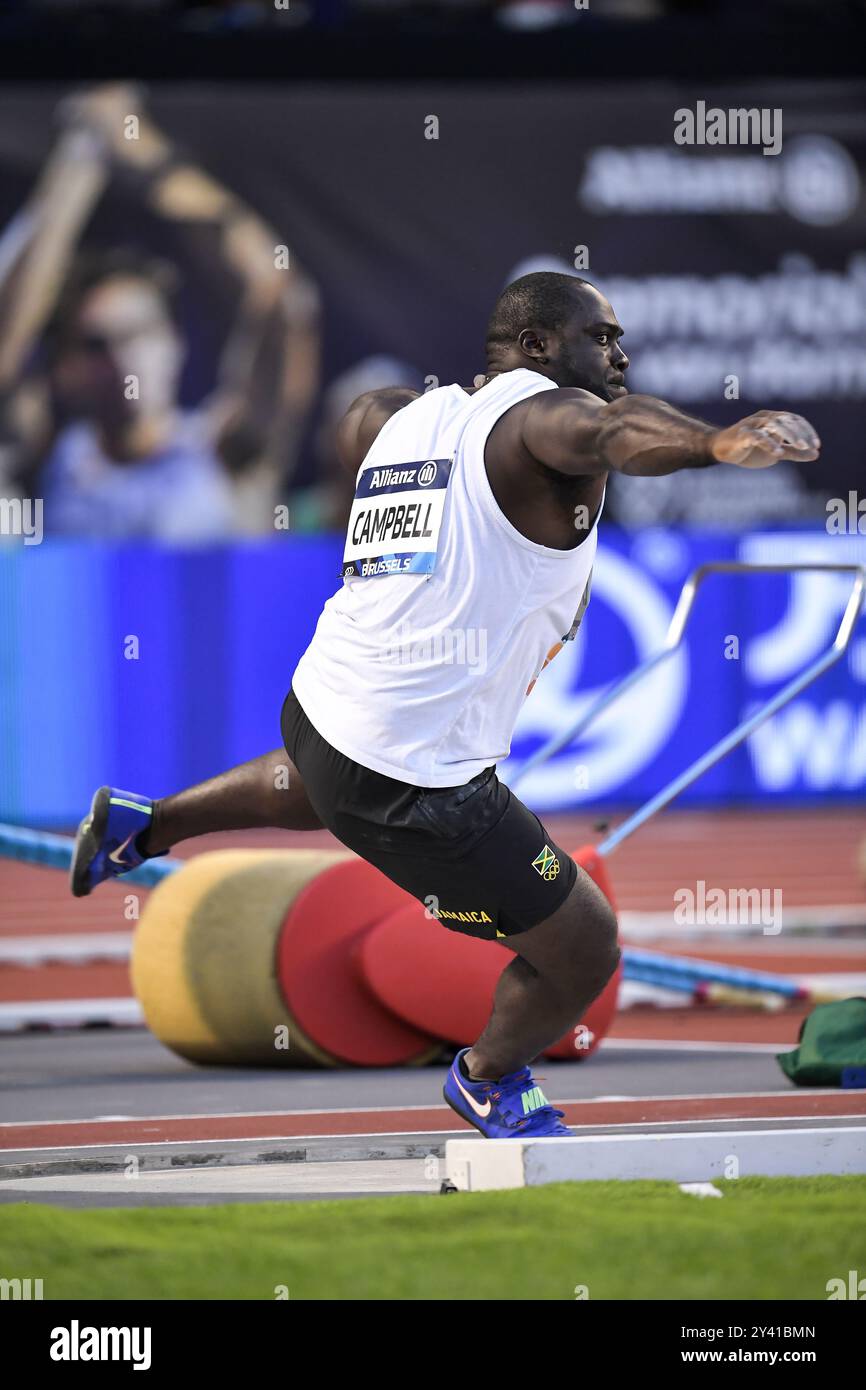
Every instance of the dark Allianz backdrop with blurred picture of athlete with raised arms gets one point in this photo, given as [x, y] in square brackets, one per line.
[197, 281]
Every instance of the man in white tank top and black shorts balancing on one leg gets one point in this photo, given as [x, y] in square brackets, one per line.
[473, 529]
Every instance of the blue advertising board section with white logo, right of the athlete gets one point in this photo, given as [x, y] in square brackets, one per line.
[747, 639]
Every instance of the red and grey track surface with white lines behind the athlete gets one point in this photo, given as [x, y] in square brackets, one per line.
[84, 1110]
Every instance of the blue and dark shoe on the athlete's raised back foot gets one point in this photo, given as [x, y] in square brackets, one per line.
[106, 840]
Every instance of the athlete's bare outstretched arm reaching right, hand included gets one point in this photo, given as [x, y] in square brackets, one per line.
[575, 433]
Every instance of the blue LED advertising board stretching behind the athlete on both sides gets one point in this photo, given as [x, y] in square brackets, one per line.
[154, 669]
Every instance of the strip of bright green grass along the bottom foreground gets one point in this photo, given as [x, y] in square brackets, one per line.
[767, 1239]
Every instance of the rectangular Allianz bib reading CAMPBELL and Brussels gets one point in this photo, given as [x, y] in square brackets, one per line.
[397, 519]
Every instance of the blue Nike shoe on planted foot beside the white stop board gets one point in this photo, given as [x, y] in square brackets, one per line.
[514, 1107]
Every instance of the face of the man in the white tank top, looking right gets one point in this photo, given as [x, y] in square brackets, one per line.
[587, 351]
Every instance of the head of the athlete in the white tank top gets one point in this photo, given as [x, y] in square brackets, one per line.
[562, 327]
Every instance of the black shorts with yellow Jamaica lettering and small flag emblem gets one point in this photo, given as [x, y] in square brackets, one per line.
[475, 856]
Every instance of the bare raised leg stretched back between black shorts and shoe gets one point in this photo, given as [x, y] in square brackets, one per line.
[266, 793]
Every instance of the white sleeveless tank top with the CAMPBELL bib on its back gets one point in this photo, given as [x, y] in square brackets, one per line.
[422, 661]
